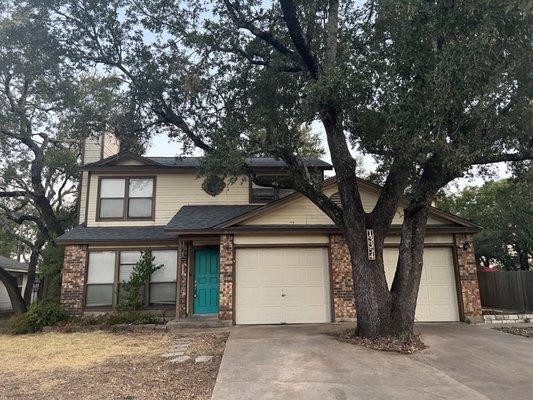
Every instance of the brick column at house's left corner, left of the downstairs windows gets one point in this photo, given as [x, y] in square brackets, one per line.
[73, 279]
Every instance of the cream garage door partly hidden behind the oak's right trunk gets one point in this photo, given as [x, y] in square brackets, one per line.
[437, 297]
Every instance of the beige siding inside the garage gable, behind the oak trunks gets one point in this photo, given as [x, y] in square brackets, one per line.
[302, 211]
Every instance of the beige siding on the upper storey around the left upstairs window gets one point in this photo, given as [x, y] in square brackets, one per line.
[172, 192]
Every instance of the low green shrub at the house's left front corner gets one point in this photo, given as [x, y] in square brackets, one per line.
[38, 315]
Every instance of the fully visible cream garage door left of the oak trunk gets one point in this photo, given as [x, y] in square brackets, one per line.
[282, 285]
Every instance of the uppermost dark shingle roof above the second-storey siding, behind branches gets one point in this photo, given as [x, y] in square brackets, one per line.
[192, 162]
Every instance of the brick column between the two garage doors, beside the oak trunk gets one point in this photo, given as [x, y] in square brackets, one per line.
[341, 278]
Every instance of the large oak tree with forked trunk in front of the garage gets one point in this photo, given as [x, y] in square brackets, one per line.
[429, 88]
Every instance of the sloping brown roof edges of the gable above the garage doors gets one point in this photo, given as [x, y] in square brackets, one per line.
[364, 184]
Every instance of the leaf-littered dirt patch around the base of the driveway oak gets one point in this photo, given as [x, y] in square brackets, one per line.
[388, 343]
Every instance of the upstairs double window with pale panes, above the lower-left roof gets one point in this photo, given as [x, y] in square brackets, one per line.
[126, 198]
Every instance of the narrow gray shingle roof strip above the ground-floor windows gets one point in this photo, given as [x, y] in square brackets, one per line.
[82, 234]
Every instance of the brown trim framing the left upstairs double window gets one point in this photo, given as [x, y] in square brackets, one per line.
[126, 198]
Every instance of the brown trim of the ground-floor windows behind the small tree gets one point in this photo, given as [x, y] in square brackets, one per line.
[116, 279]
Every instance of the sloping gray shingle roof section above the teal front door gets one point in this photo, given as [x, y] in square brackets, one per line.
[205, 217]
